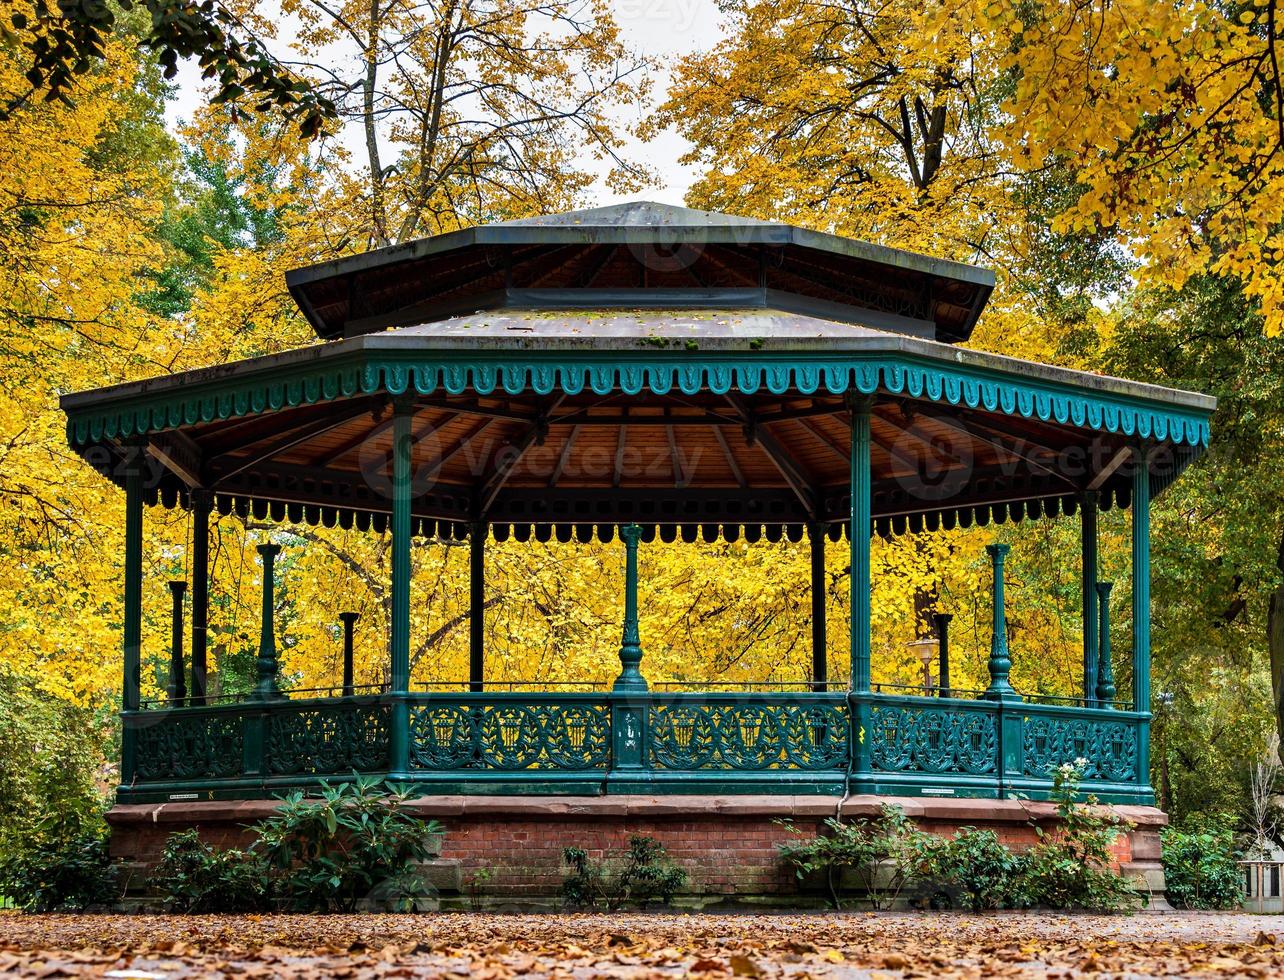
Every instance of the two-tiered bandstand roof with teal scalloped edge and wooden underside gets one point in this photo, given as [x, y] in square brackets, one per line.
[690, 421]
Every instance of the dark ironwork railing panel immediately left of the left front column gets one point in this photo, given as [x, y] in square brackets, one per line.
[327, 739]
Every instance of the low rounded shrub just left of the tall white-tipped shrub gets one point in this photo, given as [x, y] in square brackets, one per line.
[975, 870]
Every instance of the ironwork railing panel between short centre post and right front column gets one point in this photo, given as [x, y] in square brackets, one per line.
[749, 737]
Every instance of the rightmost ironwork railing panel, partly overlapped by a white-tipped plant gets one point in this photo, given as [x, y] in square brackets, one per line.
[1107, 749]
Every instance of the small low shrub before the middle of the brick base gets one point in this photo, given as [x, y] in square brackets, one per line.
[639, 877]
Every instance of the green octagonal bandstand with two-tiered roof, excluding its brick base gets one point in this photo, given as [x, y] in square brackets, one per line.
[640, 372]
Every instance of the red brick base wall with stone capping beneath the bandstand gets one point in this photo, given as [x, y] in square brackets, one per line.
[727, 846]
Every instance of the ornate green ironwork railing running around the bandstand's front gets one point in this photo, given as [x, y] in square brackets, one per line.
[591, 743]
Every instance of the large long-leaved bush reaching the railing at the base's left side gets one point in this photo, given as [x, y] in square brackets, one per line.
[355, 842]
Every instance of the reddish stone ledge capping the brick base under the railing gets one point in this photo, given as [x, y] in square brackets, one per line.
[661, 807]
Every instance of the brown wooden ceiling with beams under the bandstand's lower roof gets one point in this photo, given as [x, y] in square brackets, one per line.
[668, 460]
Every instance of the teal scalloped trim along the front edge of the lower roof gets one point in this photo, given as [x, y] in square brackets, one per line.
[952, 385]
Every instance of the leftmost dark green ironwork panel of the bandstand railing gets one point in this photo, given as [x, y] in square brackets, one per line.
[178, 746]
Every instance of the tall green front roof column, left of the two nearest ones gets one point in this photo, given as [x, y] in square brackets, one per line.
[400, 636]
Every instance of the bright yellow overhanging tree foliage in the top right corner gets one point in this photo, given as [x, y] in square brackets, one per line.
[1172, 120]
